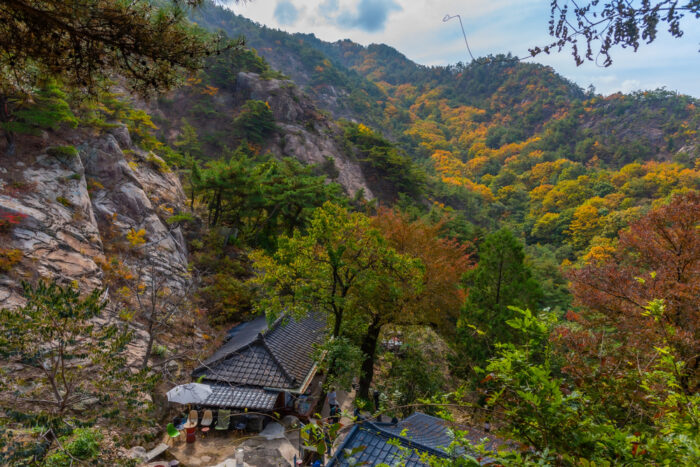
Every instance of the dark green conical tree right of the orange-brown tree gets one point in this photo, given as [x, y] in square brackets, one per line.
[501, 280]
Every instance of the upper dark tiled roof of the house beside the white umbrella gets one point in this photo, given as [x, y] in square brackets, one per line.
[279, 357]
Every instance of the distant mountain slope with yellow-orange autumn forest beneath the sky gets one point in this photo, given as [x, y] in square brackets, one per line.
[500, 139]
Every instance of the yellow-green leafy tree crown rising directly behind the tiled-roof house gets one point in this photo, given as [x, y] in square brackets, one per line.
[336, 265]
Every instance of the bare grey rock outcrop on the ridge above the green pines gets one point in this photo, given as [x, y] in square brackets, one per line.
[303, 132]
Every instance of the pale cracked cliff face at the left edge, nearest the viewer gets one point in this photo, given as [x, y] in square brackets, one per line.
[79, 210]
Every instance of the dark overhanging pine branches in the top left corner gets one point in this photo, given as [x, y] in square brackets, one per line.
[83, 40]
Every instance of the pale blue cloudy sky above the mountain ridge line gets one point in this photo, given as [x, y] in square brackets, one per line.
[416, 29]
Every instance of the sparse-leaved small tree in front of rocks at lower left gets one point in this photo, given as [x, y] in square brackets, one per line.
[57, 335]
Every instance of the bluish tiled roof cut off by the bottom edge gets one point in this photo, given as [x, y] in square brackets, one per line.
[418, 432]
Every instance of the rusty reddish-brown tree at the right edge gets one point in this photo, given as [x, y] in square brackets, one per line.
[658, 257]
